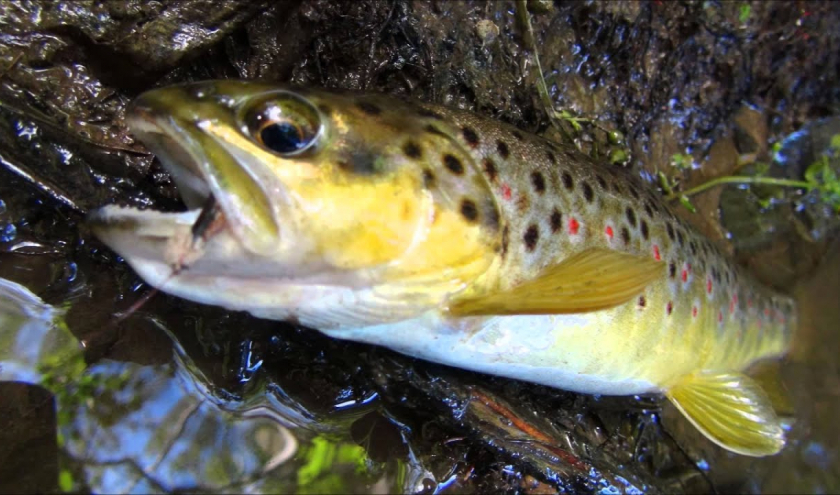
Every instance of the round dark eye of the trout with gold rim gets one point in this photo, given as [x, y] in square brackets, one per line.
[284, 124]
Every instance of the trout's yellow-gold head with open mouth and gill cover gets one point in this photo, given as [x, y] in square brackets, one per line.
[303, 188]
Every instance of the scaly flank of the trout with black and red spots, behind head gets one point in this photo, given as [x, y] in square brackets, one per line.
[720, 317]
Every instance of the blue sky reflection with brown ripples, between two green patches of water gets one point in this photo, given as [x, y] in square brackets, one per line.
[148, 424]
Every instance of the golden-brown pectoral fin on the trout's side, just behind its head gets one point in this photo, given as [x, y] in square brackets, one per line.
[588, 281]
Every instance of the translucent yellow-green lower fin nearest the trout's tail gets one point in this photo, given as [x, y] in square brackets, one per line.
[731, 410]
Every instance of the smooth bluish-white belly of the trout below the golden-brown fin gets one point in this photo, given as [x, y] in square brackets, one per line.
[526, 348]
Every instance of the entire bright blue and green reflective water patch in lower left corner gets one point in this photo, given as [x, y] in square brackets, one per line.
[130, 428]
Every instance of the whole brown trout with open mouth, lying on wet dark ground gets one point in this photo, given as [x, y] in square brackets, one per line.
[452, 238]
